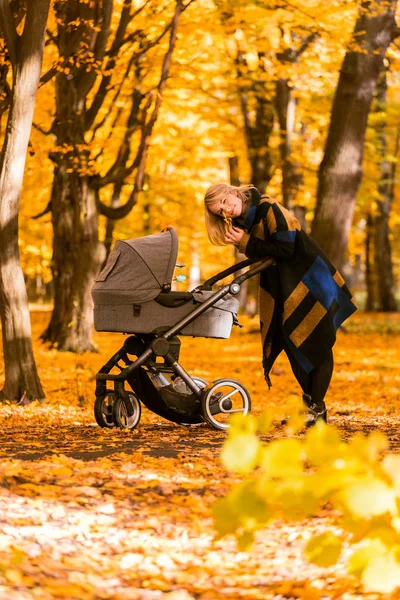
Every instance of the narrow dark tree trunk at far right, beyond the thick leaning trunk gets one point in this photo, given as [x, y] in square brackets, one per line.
[383, 252]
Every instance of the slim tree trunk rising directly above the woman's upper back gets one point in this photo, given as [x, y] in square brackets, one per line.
[286, 109]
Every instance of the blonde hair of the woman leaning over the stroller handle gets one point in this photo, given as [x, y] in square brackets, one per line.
[215, 224]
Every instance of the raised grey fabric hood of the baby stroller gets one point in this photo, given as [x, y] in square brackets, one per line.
[137, 269]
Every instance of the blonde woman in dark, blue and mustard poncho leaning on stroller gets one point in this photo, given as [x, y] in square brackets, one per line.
[303, 298]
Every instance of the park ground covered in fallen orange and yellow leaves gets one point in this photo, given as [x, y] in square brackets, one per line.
[88, 513]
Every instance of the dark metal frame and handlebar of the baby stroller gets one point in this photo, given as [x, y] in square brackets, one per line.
[166, 345]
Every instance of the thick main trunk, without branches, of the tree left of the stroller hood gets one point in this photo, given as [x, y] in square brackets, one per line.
[77, 254]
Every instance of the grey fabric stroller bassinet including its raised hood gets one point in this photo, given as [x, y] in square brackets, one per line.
[132, 293]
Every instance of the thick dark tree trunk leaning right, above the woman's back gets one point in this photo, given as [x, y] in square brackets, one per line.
[340, 171]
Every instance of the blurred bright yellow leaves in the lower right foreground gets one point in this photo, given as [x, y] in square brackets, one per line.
[351, 476]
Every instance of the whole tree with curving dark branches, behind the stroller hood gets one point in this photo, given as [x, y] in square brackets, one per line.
[98, 93]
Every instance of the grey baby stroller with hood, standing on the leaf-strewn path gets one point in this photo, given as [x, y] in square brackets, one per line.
[132, 295]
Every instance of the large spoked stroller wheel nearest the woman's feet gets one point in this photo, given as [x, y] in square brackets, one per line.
[224, 398]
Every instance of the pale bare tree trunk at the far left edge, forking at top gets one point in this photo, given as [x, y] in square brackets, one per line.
[26, 54]
